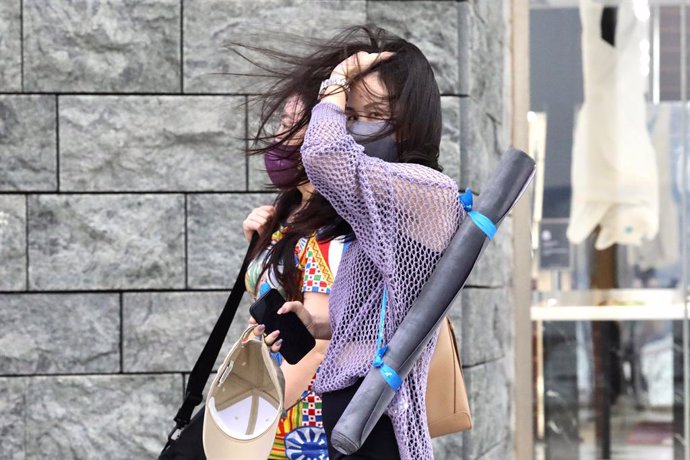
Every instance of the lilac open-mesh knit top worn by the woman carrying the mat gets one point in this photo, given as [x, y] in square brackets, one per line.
[403, 216]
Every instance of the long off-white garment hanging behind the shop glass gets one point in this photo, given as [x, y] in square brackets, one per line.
[614, 171]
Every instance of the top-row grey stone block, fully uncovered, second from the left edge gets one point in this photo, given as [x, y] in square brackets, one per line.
[119, 47]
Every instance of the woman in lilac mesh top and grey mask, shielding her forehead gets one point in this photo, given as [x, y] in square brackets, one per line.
[371, 149]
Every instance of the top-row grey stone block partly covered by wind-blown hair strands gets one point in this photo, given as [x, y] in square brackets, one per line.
[211, 25]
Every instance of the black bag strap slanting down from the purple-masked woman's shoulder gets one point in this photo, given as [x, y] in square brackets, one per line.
[204, 363]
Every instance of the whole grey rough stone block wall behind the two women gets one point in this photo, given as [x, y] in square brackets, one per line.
[123, 185]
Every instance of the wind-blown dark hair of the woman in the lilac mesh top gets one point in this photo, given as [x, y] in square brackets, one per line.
[414, 96]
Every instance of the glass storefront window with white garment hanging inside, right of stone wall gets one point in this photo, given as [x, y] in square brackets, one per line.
[608, 128]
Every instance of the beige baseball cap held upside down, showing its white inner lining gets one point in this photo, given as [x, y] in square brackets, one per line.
[244, 403]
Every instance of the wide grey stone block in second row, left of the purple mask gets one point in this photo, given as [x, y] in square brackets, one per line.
[160, 143]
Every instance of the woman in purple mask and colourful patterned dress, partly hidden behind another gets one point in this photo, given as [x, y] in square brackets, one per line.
[302, 232]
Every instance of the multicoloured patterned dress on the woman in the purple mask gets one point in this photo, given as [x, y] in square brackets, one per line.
[300, 434]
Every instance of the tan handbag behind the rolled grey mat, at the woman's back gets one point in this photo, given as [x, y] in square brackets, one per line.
[447, 407]
